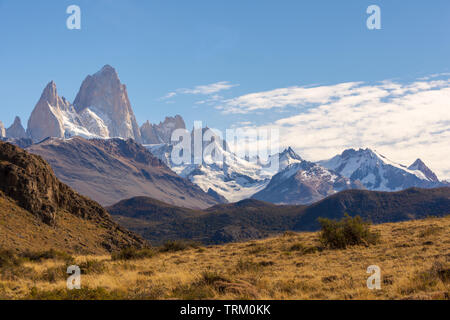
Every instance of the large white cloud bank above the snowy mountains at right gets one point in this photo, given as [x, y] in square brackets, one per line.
[402, 121]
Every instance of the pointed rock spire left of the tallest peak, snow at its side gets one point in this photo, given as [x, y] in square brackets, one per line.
[46, 119]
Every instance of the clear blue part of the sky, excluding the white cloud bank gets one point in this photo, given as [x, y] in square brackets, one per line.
[163, 47]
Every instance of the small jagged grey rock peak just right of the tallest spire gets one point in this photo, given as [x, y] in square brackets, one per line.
[162, 132]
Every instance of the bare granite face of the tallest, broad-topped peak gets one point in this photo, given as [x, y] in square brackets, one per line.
[104, 95]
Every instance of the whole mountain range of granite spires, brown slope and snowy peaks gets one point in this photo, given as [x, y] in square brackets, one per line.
[102, 111]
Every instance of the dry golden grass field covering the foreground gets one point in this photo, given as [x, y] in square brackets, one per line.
[276, 268]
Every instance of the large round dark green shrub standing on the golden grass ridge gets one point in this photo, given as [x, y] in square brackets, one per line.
[347, 232]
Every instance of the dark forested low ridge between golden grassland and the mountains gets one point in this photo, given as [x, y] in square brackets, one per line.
[253, 219]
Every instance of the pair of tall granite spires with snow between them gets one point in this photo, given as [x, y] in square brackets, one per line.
[101, 110]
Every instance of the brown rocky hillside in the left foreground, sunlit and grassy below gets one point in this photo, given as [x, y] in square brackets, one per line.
[38, 211]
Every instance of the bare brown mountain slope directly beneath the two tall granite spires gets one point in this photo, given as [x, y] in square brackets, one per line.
[112, 170]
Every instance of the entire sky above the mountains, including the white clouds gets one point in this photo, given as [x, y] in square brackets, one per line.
[311, 69]
